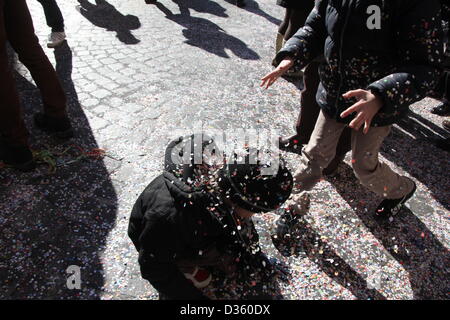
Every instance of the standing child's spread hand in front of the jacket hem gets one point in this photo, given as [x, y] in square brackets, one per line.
[367, 107]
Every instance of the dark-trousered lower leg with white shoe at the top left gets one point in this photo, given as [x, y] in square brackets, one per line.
[55, 20]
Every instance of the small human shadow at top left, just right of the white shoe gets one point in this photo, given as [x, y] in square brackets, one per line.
[104, 15]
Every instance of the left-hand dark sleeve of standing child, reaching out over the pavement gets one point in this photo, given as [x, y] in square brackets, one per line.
[308, 43]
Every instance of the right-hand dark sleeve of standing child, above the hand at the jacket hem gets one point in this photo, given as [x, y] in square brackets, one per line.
[418, 36]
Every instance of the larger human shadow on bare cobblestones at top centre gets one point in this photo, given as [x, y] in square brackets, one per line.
[206, 35]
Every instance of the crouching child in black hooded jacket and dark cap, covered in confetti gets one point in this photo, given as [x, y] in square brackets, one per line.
[198, 216]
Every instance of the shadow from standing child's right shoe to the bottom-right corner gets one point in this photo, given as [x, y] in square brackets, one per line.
[406, 238]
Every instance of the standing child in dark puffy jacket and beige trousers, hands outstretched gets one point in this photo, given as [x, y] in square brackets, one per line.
[381, 56]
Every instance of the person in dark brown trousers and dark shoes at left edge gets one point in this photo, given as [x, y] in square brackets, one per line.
[16, 26]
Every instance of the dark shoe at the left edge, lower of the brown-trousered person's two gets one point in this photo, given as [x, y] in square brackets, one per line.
[18, 157]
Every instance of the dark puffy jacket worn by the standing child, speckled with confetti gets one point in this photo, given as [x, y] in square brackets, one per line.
[401, 61]
